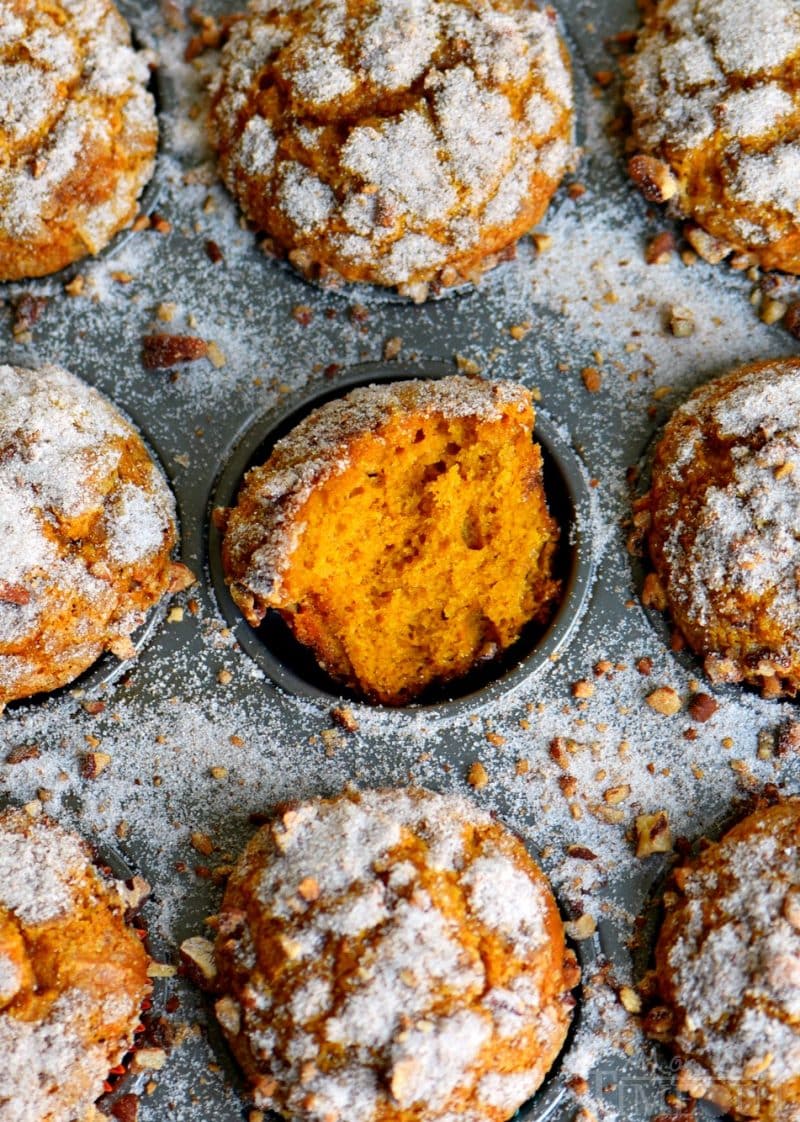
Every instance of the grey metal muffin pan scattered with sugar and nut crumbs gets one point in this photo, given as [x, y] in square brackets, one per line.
[198, 696]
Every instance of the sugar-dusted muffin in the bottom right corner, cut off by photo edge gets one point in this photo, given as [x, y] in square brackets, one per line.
[729, 968]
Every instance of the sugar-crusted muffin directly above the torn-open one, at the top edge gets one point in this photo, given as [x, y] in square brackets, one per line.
[403, 144]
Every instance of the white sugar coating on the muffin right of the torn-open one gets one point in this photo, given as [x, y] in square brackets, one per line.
[746, 526]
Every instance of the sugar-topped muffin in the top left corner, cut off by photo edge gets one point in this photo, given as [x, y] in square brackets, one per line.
[78, 132]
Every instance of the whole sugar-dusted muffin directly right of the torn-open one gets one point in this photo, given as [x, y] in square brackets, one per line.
[725, 526]
